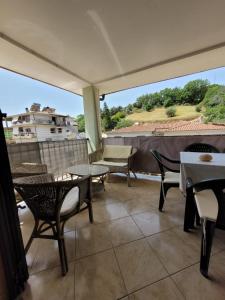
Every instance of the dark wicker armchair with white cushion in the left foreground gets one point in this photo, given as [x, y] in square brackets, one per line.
[52, 203]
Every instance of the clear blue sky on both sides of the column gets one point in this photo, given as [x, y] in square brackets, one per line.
[18, 92]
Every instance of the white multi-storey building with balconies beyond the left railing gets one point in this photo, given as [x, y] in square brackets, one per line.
[35, 125]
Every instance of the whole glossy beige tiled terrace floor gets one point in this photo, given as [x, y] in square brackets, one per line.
[131, 252]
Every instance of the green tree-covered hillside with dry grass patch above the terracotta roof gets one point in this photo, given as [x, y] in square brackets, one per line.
[195, 98]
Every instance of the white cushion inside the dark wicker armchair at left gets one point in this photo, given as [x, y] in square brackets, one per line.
[70, 202]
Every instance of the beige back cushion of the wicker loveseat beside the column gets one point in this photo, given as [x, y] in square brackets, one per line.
[116, 151]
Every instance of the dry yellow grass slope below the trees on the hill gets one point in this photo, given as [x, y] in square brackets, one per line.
[184, 112]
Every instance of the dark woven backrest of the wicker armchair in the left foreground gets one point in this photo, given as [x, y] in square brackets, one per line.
[44, 196]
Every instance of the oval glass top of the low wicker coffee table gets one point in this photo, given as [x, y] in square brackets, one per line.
[86, 169]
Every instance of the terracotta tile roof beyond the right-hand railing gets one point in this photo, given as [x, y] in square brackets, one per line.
[193, 125]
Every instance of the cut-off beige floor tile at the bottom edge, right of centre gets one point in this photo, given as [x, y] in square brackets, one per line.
[162, 290]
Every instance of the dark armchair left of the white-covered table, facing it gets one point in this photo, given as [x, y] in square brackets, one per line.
[169, 177]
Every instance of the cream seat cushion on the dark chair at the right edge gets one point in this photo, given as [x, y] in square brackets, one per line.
[207, 204]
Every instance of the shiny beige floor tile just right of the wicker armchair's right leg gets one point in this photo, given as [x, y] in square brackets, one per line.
[104, 212]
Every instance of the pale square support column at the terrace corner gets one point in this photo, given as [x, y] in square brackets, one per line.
[92, 117]
